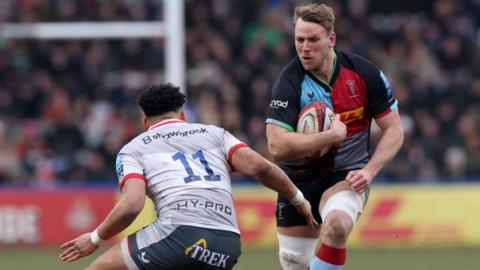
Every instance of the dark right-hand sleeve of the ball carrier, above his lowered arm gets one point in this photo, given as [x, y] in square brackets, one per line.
[381, 100]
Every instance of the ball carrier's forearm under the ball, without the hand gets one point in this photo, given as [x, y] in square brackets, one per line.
[292, 145]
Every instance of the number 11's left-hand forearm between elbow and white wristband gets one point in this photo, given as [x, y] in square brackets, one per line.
[119, 218]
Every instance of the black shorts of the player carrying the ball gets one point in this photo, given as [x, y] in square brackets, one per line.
[288, 216]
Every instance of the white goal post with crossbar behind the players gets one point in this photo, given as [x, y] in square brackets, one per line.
[172, 29]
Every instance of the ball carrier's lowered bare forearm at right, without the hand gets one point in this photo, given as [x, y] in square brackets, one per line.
[387, 148]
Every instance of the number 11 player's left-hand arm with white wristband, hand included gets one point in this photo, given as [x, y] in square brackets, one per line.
[120, 217]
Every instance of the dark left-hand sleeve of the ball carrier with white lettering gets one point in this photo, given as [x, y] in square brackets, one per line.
[284, 106]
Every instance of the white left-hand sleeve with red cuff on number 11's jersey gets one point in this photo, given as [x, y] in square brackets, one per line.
[128, 167]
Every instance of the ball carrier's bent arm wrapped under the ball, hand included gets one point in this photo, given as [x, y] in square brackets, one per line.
[285, 145]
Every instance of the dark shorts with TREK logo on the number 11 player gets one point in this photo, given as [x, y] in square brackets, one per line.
[186, 248]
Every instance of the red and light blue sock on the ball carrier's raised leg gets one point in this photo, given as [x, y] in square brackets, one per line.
[328, 258]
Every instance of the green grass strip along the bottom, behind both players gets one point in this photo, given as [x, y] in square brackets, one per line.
[265, 259]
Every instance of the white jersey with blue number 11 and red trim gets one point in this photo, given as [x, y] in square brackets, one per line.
[186, 168]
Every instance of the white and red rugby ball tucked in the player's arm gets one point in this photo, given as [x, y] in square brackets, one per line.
[315, 117]
